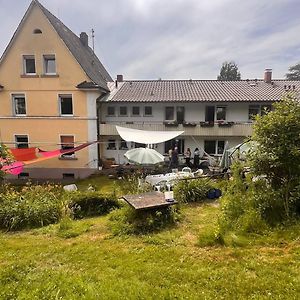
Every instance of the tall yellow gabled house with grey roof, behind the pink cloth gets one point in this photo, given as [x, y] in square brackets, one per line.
[50, 80]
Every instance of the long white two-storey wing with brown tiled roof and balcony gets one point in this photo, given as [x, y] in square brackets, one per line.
[211, 113]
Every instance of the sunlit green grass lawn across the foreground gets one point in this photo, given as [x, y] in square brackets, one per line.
[82, 260]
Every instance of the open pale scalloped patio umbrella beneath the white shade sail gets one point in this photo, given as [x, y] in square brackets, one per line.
[144, 156]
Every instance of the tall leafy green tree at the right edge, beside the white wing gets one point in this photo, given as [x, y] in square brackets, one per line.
[277, 155]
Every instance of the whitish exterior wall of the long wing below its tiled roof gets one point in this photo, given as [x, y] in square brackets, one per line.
[193, 136]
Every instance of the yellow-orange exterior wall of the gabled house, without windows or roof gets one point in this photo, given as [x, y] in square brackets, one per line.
[43, 123]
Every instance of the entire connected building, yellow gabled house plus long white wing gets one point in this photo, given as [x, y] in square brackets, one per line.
[55, 93]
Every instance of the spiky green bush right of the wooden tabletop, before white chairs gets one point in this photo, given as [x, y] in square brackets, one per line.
[192, 190]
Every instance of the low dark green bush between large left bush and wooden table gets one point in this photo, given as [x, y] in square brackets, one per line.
[89, 204]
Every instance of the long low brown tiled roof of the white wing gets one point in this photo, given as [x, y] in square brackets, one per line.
[203, 90]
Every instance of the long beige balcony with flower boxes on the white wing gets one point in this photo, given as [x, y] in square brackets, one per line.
[236, 129]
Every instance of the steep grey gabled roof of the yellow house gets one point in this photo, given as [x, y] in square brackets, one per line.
[84, 55]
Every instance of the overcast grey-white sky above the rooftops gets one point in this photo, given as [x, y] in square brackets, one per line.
[178, 39]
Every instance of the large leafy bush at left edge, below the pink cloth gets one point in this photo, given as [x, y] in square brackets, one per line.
[32, 206]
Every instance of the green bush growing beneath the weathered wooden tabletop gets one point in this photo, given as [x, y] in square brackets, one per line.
[130, 221]
